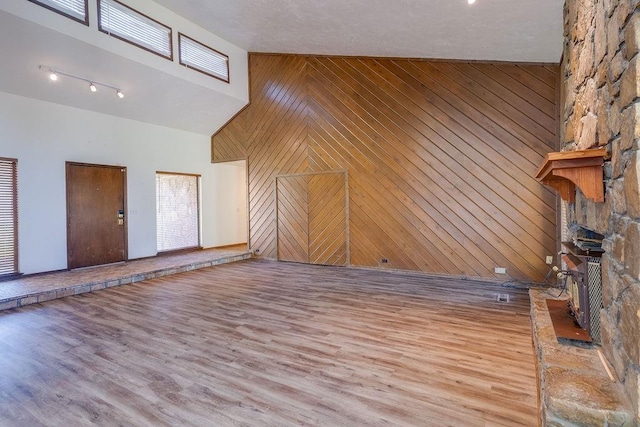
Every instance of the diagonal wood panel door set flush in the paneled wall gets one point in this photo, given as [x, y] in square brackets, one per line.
[312, 218]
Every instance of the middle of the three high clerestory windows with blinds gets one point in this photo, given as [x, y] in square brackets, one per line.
[127, 24]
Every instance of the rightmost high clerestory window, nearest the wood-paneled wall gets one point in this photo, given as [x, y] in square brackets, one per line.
[202, 58]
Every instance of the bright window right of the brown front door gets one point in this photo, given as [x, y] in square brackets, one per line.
[177, 211]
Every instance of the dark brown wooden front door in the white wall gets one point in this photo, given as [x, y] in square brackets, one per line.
[96, 225]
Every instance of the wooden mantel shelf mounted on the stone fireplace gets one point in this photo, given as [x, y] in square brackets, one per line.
[565, 169]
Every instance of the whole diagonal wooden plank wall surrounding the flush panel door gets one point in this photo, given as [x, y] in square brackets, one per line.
[440, 155]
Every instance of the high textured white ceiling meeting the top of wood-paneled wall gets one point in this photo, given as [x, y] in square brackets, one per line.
[505, 30]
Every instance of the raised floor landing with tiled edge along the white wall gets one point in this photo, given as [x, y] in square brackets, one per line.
[45, 287]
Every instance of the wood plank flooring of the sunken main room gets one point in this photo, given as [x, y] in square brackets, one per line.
[262, 343]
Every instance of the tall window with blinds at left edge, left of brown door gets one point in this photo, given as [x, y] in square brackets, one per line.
[8, 216]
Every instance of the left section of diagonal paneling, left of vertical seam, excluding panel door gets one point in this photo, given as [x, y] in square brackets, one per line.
[271, 132]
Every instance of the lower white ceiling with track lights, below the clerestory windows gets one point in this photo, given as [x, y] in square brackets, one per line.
[151, 96]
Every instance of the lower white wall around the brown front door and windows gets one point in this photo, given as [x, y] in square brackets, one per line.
[43, 136]
